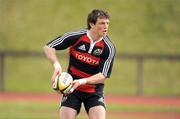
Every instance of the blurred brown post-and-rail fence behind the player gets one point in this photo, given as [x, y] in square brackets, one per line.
[140, 58]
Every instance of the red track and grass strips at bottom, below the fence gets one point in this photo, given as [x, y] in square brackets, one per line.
[41, 106]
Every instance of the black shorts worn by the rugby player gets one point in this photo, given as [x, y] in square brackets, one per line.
[89, 100]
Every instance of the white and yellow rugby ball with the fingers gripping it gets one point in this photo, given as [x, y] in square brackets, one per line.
[63, 82]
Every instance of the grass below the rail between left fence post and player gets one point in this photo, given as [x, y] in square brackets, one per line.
[29, 74]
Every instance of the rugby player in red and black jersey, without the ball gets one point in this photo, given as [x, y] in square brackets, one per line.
[90, 63]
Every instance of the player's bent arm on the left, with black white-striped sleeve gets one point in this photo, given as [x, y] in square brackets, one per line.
[60, 43]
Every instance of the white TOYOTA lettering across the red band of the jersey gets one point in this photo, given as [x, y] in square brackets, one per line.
[86, 59]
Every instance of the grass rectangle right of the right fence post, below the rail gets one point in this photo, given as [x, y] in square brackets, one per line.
[161, 77]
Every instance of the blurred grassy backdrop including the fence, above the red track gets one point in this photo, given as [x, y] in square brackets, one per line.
[146, 34]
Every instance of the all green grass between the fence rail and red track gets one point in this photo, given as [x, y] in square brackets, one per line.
[33, 75]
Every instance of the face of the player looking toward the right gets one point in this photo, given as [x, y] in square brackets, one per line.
[101, 27]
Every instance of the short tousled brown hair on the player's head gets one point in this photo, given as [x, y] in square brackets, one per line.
[94, 15]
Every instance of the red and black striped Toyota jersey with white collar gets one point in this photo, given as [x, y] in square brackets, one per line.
[86, 57]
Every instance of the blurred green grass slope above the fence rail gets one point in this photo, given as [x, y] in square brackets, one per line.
[143, 26]
